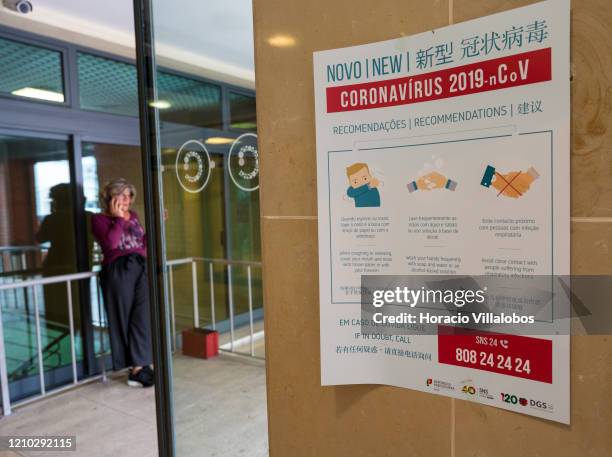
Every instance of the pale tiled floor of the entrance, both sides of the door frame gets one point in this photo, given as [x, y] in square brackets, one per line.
[220, 410]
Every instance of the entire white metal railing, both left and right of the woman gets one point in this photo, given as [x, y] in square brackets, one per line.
[69, 279]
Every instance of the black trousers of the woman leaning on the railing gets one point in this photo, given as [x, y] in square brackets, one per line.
[126, 300]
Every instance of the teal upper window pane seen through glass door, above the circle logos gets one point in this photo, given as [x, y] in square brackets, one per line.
[189, 101]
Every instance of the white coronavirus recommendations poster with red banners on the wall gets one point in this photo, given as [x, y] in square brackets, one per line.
[447, 153]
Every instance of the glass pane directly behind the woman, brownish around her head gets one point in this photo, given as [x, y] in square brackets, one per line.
[101, 163]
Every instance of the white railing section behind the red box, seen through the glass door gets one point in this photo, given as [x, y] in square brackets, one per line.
[210, 262]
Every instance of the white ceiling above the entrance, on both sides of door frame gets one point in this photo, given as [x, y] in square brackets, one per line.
[213, 34]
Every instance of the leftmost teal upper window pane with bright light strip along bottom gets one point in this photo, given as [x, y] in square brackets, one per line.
[31, 72]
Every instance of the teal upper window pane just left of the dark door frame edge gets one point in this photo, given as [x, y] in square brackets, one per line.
[107, 85]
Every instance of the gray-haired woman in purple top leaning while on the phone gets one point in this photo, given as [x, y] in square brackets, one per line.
[124, 281]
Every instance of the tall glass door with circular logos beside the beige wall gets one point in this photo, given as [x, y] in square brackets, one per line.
[205, 171]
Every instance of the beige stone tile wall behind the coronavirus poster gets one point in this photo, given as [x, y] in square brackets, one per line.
[306, 419]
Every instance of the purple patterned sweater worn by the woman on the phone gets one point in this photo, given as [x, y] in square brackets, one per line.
[118, 237]
